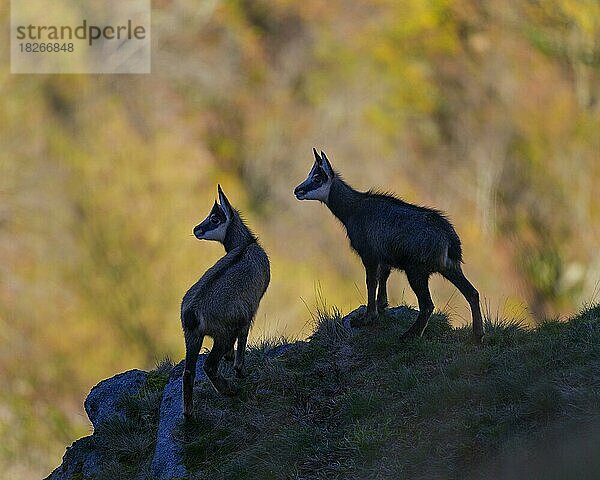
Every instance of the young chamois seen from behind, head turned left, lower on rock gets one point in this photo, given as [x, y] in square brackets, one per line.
[223, 303]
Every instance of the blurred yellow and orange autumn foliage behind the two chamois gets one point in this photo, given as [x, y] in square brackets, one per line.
[487, 110]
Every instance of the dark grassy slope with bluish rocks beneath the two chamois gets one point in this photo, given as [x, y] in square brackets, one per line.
[363, 404]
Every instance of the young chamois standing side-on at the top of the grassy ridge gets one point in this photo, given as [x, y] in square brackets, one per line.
[387, 233]
